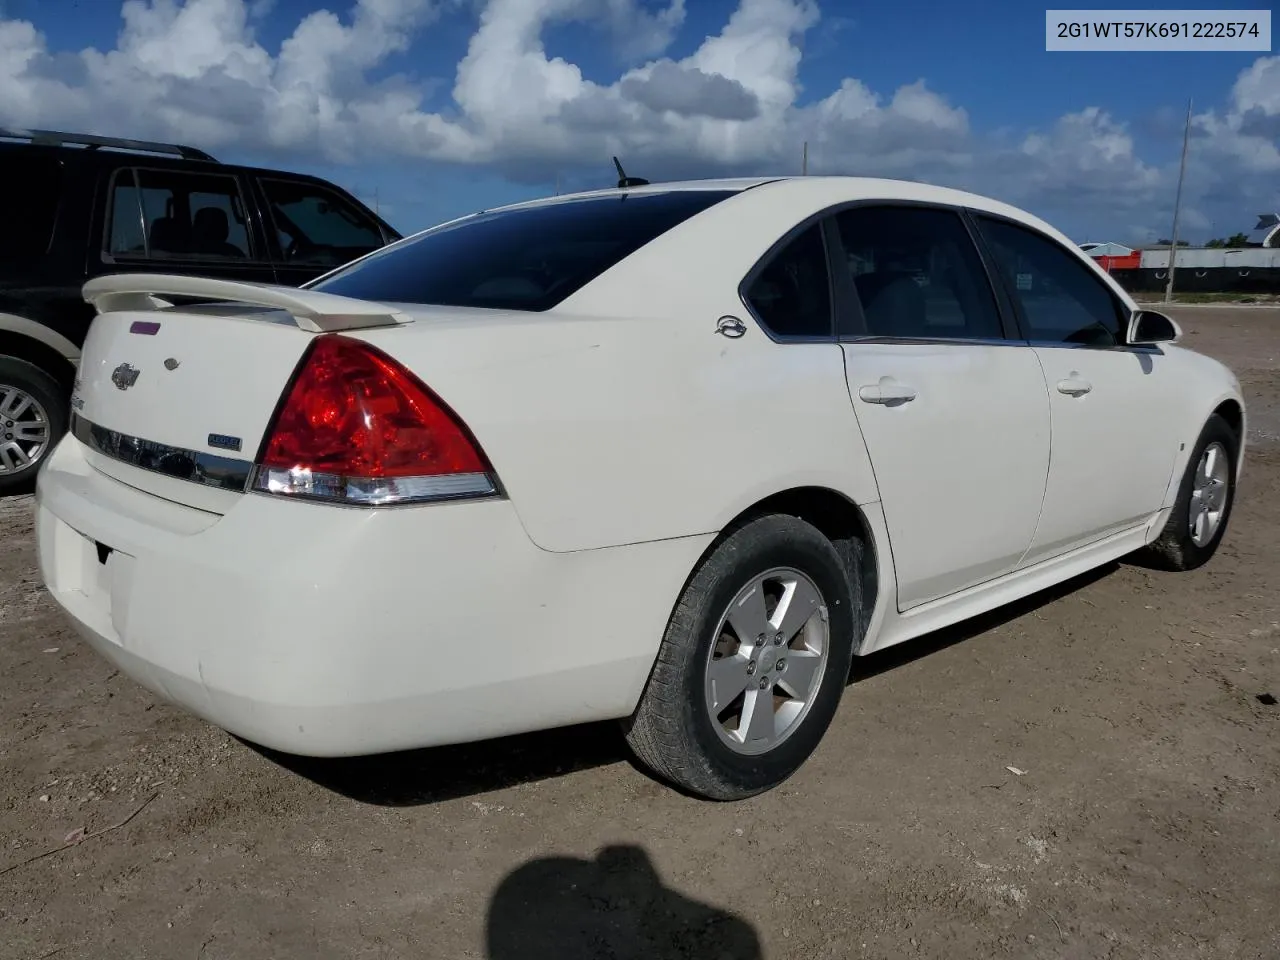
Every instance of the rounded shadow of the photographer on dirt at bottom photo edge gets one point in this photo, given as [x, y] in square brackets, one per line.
[612, 907]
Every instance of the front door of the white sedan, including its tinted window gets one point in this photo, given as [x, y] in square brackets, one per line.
[1114, 447]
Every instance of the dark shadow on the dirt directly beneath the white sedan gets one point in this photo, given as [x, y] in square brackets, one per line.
[419, 778]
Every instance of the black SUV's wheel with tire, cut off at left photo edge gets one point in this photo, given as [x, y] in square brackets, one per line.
[40, 405]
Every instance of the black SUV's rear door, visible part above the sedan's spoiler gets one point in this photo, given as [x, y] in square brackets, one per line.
[189, 222]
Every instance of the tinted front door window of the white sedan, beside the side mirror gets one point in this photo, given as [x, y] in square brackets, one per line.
[1060, 298]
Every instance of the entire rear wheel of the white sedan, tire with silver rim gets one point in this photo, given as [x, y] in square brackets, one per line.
[685, 729]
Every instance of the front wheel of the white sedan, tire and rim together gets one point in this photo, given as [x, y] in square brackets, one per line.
[1178, 547]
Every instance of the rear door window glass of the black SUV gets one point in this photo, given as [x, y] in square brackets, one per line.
[171, 214]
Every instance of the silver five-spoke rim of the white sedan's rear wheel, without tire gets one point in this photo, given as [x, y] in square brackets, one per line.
[767, 661]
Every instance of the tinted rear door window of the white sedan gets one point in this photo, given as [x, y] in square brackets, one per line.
[918, 275]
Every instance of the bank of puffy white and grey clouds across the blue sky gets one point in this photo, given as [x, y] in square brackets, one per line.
[194, 71]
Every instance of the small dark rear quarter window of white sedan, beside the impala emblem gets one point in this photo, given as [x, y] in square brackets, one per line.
[792, 295]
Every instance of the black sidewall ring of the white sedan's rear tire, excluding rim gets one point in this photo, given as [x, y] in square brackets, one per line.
[751, 552]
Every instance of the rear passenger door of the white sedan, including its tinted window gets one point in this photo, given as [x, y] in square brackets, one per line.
[953, 410]
